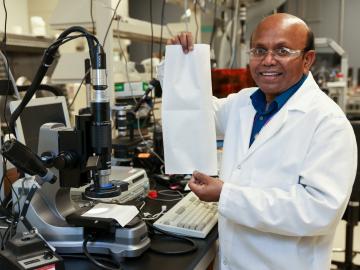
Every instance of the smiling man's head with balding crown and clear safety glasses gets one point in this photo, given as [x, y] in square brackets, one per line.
[282, 52]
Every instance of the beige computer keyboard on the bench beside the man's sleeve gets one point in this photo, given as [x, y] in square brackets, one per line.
[189, 217]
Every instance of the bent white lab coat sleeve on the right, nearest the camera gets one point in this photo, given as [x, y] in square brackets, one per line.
[316, 203]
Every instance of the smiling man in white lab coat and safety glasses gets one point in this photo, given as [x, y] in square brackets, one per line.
[289, 157]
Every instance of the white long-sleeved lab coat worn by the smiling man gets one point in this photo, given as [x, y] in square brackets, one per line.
[283, 197]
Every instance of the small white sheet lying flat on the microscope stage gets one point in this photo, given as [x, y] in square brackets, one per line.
[123, 214]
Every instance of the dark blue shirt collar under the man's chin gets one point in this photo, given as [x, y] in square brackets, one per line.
[258, 98]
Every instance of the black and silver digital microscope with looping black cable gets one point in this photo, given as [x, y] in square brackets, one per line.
[79, 156]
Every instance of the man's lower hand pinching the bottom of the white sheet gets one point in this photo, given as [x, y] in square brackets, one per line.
[207, 188]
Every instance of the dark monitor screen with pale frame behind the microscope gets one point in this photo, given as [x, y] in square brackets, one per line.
[36, 113]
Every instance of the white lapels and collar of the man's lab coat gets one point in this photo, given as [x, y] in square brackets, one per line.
[299, 101]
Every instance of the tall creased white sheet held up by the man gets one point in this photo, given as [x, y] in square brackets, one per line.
[187, 115]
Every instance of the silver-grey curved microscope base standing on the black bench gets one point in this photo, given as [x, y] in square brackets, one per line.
[58, 219]
